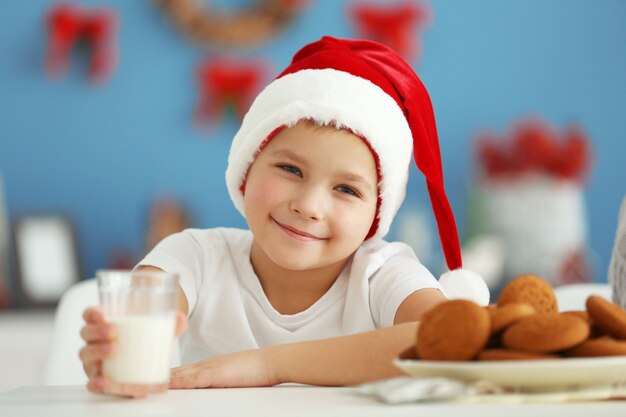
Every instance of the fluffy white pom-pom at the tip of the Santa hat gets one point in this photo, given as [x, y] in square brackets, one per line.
[465, 284]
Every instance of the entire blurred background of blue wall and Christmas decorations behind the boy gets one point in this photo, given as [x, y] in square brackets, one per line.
[116, 119]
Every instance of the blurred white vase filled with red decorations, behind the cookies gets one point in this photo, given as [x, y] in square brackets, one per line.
[529, 193]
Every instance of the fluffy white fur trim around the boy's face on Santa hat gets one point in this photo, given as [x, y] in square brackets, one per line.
[329, 96]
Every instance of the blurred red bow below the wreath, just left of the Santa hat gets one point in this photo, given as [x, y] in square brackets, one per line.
[227, 85]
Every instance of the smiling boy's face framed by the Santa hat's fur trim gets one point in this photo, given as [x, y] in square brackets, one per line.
[310, 196]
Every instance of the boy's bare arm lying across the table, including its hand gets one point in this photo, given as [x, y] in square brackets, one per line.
[344, 360]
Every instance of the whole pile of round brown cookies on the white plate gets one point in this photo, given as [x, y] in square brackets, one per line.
[524, 324]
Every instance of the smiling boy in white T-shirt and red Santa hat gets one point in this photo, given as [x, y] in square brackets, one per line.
[311, 294]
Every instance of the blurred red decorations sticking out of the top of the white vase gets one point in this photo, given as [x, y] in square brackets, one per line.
[534, 146]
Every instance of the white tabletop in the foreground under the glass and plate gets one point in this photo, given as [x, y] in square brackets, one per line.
[292, 401]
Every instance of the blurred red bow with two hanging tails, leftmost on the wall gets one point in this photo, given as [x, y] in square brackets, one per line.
[67, 24]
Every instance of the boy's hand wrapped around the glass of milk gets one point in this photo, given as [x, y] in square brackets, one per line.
[100, 337]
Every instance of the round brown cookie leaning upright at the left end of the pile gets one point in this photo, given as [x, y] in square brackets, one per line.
[455, 330]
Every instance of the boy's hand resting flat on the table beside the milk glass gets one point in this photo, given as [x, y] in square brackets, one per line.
[250, 368]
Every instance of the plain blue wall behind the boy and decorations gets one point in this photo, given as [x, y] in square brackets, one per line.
[101, 154]
